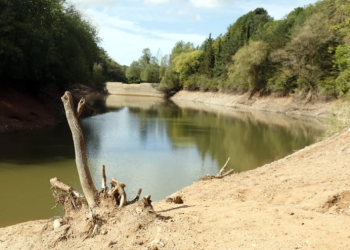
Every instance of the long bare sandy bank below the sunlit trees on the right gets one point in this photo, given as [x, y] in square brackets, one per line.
[285, 105]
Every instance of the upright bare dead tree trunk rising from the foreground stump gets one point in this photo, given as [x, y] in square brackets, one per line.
[80, 152]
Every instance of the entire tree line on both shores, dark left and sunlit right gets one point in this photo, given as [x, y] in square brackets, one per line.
[50, 42]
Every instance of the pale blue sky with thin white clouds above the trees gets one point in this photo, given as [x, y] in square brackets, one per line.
[128, 26]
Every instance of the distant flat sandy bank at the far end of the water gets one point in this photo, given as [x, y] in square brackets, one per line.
[142, 89]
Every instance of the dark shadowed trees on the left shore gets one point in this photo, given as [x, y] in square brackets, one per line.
[50, 42]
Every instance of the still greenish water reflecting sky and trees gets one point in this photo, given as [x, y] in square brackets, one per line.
[146, 143]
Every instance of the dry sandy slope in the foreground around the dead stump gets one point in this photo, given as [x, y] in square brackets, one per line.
[299, 202]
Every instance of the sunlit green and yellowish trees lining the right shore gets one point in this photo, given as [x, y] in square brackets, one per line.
[307, 53]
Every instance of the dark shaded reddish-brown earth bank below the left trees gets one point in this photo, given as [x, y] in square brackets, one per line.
[21, 111]
